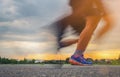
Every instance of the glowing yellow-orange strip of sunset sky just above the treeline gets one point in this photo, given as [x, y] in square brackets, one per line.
[110, 54]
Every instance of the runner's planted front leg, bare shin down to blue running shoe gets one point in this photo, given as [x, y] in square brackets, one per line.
[78, 58]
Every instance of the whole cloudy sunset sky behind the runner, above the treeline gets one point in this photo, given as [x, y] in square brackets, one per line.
[23, 31]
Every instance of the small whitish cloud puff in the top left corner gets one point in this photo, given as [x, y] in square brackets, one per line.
[8, 10]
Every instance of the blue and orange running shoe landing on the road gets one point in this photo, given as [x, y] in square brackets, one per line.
[79, 60]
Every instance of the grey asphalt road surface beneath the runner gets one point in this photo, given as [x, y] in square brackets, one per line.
[56, 71]
